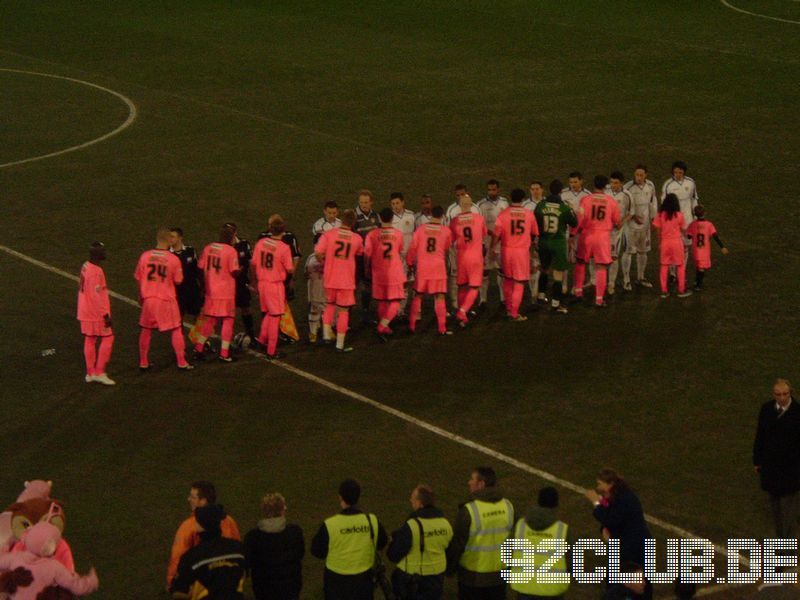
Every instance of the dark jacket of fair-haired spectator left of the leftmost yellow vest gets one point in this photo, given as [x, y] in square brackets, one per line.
[274, 552]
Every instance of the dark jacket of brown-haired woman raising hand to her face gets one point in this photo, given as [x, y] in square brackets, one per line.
[624, 518]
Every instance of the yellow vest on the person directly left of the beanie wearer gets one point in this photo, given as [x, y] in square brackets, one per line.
[491, 522]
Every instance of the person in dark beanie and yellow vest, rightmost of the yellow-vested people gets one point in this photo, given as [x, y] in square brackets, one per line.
[540, 523]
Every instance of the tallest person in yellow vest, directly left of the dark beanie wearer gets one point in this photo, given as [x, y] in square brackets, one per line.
[481, 527]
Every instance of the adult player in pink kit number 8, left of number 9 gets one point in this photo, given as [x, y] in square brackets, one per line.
[428, 250]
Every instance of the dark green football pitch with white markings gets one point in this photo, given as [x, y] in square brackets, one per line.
[194, 114]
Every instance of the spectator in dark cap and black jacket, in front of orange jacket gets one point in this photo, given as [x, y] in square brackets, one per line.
[215, 568]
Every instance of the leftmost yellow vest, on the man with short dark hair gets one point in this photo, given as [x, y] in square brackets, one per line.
[351, 547]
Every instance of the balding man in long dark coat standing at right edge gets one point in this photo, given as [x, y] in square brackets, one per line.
[776, 457]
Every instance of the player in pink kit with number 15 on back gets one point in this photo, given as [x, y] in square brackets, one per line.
[515, 229]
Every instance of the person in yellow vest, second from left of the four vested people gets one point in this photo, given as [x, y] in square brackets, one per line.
[419, 548]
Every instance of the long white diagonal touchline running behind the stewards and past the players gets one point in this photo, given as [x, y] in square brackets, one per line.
[453, 437]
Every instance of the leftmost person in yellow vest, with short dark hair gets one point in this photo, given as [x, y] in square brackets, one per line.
[348, 542]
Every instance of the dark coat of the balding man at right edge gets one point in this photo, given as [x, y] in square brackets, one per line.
[776, 449]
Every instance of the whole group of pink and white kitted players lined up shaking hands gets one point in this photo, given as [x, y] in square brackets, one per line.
[397, 257]
